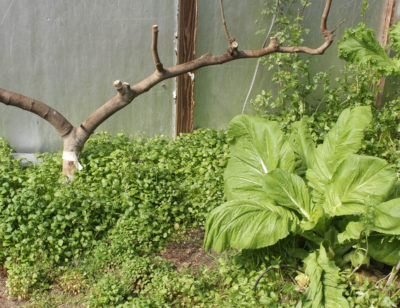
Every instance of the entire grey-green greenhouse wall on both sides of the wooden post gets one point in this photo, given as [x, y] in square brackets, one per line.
[67, 53]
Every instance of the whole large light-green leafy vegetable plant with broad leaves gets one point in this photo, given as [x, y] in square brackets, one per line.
[343, 204]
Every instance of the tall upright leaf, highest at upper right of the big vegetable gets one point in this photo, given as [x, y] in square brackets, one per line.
[343, 139]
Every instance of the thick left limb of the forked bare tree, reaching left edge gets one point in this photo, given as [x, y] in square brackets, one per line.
[61, 124]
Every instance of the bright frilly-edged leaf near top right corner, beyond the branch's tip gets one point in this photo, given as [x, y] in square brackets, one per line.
[359, 46]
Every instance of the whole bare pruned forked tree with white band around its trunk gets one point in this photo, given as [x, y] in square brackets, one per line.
[74, 138]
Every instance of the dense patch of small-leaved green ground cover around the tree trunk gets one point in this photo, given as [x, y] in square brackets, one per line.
[133, 195]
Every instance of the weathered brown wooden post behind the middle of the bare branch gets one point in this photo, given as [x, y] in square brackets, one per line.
[187, 30]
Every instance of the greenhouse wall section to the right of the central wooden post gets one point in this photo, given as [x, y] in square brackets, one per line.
[221, 92]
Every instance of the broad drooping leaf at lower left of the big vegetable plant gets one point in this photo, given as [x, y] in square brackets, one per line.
[247, 225]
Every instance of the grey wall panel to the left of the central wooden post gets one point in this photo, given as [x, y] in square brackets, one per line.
[67, 53]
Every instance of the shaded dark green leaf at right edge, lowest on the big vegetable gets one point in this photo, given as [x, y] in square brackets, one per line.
[384, 249]
